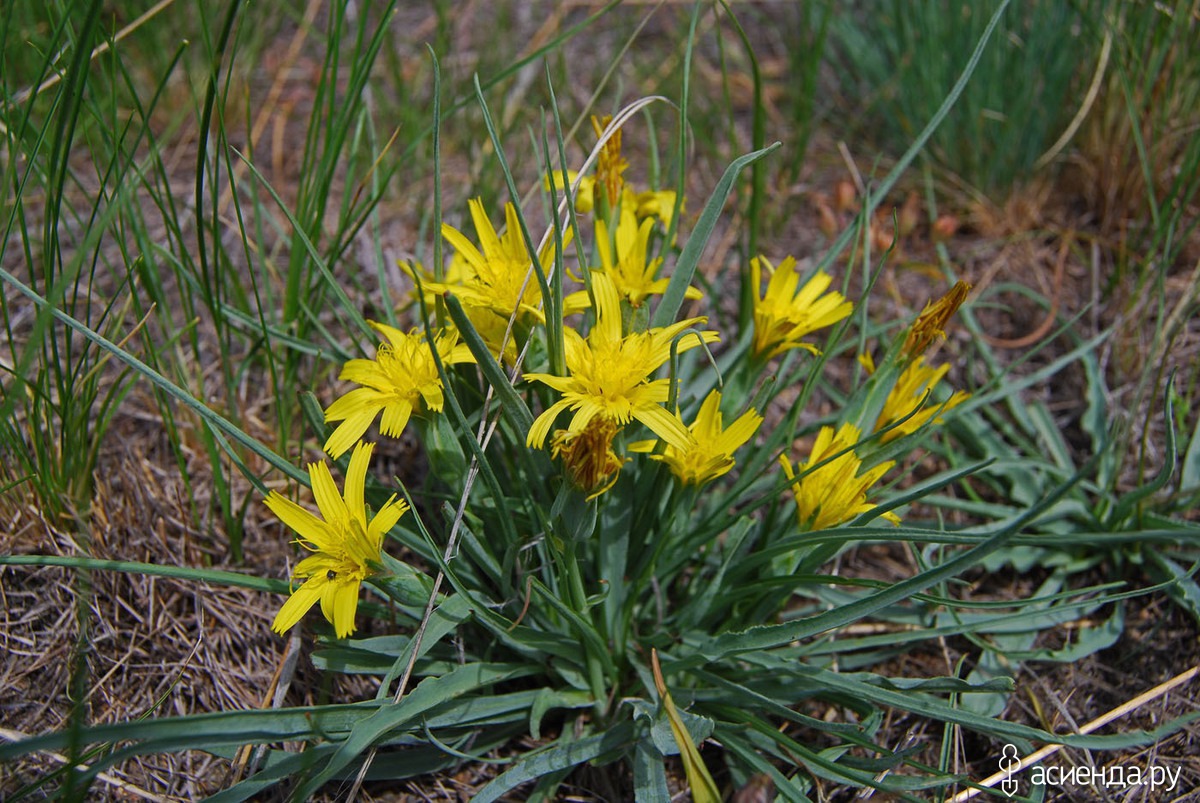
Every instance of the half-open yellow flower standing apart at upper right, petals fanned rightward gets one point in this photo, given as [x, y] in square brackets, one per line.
[784, 316]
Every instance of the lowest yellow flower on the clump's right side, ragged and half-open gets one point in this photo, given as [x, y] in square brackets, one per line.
[835, 493]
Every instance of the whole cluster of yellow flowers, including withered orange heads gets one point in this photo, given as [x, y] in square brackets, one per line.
[671, 408]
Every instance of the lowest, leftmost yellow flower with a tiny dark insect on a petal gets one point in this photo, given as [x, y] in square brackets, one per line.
[345, 546]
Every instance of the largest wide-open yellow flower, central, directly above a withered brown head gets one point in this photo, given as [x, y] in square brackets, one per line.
[610, 374]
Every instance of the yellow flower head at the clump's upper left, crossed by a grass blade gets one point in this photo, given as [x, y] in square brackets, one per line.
[500, 277]
